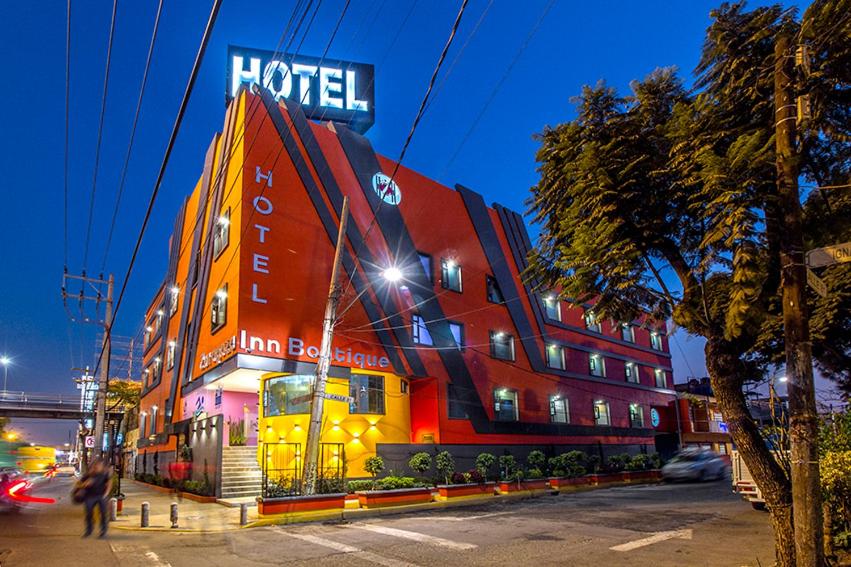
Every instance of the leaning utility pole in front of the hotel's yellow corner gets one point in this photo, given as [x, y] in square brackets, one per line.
[317, 405]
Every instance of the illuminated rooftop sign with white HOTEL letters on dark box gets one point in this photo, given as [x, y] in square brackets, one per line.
[327, 89]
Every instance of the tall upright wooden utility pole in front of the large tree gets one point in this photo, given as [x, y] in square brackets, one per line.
[803, 421]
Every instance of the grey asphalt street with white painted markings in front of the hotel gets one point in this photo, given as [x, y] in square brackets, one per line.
[677, 525]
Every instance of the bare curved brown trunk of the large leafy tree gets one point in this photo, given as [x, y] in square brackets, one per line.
[725, 374]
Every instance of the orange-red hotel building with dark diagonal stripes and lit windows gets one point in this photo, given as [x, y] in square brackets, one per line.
[470, 354]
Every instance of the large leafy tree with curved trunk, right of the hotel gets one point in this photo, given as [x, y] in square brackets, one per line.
[666, 179]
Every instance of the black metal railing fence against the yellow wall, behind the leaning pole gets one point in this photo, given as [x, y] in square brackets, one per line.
[282, 469]
